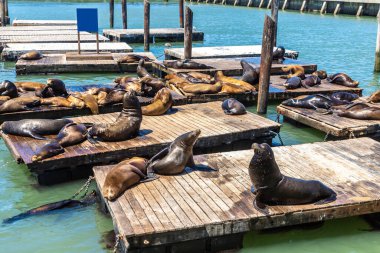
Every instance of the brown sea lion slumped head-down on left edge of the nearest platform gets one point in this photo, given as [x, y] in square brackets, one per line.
[122, 176]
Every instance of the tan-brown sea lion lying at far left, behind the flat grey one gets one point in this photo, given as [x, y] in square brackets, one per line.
[19, 104]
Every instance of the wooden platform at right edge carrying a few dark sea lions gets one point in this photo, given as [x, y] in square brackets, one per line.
[331, 123]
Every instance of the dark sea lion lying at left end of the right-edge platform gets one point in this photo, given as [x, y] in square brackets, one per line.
[310, 102]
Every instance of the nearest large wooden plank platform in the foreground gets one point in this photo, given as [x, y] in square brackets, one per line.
[337, 164]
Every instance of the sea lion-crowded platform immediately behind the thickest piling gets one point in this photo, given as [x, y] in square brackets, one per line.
[276, 92]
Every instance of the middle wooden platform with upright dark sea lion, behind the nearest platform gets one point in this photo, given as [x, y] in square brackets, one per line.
[219, 131]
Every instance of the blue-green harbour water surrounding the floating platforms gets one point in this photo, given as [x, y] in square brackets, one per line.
[341, 43]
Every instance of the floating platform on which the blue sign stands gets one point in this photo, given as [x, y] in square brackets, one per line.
[65, 63]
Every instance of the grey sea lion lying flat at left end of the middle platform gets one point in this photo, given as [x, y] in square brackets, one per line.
[34, 128]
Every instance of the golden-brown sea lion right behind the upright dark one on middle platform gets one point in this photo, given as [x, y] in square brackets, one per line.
[161, 103]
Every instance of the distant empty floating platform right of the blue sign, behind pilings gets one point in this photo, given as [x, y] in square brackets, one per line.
[155, 34]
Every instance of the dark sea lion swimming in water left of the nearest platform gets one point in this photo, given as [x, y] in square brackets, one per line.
[62, 204]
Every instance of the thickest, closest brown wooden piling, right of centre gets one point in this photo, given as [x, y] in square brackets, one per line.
[265, 64]
